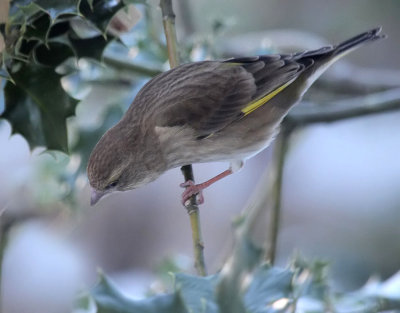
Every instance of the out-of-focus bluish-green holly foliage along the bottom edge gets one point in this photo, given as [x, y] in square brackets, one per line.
[303, 287]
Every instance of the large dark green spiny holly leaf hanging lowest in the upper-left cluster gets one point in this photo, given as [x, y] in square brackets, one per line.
[37, 106]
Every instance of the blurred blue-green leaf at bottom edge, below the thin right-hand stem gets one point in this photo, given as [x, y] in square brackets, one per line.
[269, 284]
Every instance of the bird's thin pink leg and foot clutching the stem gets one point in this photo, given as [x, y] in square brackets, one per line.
[193, 189]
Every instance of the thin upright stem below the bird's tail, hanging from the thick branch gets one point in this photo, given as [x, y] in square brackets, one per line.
[275, 195]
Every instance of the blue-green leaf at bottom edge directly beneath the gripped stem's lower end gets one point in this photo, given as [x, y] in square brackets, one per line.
[197, 293]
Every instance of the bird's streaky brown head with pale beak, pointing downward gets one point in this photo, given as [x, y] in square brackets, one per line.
[119, 163]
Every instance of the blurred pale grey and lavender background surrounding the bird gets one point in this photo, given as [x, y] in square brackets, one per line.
[341, 199]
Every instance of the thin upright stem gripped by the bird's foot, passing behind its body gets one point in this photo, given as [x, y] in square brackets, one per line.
[187, 170]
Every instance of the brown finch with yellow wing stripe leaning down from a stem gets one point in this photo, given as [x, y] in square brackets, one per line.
[204, 112]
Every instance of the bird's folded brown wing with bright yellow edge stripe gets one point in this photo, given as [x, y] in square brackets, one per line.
[209, 95]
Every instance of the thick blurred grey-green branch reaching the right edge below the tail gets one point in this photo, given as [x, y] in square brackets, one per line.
[379, 102]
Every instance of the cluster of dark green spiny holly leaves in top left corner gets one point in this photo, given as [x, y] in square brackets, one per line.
[40, 36]
